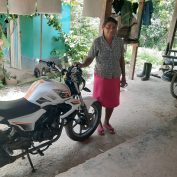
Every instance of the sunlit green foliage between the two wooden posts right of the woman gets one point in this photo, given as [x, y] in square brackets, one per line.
[155, 35]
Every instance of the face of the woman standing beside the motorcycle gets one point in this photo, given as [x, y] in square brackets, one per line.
[109, 29]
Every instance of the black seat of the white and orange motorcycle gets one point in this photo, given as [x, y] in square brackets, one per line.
[17, 108]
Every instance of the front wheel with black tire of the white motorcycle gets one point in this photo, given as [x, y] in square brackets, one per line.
[74, 128]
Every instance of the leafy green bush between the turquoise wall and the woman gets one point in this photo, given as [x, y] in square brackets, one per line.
[78, 41]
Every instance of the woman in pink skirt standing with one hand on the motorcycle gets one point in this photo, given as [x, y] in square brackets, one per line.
[109, 53]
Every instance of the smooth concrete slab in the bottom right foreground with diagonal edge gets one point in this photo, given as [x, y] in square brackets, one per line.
[153, 154]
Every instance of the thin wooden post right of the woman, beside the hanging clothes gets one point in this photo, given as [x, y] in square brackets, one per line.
[135, 46]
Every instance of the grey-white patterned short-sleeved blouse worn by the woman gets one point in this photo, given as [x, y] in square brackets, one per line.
[107, 57]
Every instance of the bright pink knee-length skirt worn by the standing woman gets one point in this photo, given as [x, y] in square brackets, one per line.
[106, 91]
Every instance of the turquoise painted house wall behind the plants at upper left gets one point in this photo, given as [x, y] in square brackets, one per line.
[30, 35]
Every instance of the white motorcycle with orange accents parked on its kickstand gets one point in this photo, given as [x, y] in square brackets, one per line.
[32, 123]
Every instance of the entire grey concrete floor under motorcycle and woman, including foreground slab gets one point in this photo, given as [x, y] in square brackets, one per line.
[144, 144]
